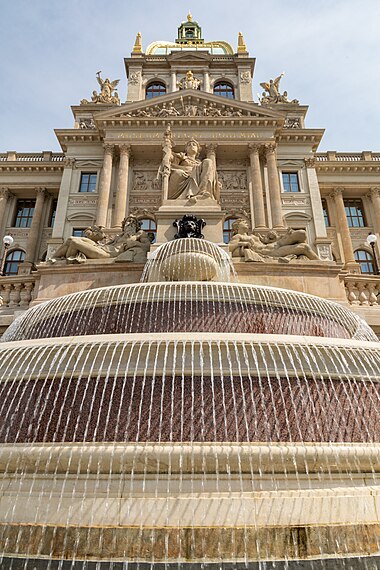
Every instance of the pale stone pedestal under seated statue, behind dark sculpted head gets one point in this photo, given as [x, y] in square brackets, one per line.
[171, 210]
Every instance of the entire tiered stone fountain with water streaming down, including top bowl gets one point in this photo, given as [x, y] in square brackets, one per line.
[189, 421]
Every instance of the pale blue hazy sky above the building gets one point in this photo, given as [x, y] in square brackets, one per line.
[51, 51]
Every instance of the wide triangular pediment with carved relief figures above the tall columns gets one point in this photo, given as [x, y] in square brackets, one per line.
[192, 104]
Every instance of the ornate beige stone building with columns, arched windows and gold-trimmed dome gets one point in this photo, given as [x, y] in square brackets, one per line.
[253, 160]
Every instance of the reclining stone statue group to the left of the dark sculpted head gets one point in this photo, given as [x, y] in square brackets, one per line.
[132, 244]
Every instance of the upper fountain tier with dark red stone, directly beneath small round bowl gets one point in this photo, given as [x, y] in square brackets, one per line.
[189, 307]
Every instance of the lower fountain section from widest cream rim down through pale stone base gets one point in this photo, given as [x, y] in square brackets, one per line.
[213, 446]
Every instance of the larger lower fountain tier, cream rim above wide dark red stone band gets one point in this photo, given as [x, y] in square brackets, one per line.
[250, 388]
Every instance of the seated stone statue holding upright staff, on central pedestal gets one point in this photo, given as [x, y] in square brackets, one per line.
[185, 176]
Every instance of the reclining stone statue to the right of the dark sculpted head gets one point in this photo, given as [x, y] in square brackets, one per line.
[259, 248]
